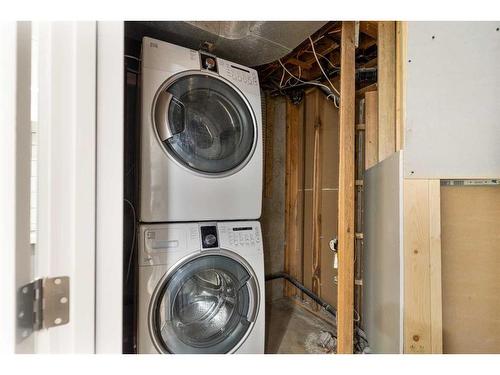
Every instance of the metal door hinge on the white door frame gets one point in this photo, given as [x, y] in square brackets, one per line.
[43, 303]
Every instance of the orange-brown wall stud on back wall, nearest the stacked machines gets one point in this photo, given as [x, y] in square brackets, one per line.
[292, 247]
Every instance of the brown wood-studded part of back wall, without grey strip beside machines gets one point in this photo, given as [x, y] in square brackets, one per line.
[311, 206]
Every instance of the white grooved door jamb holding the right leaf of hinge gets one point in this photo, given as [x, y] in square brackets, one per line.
[66, 177]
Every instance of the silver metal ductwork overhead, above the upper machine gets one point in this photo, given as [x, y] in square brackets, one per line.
[250, 43]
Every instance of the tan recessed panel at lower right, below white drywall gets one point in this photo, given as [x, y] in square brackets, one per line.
[470, 264]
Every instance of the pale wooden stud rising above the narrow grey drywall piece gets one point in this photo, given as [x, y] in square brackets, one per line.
[386, 58]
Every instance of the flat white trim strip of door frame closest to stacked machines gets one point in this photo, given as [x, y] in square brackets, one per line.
[109, 233]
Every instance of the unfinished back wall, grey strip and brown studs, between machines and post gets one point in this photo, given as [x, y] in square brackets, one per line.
[300, 197]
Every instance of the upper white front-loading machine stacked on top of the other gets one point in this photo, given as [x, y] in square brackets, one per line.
[201, 137]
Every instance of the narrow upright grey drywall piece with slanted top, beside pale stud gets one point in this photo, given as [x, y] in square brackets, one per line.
[382, 258]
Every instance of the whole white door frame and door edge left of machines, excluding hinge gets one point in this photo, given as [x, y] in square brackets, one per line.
[80, 180]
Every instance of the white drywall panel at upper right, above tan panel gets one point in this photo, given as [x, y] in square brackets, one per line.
[452, 107]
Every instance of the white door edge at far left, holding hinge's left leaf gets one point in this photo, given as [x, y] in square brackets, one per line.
[15, 158]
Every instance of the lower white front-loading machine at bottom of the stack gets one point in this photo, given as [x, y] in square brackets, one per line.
[201, 288]
